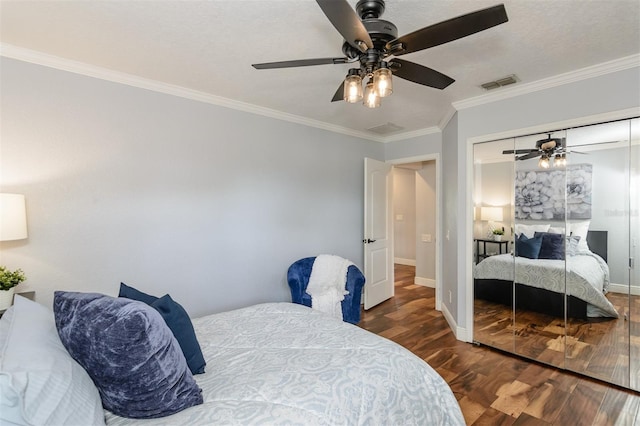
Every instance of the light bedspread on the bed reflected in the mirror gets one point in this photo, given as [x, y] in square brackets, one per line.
[587, 276]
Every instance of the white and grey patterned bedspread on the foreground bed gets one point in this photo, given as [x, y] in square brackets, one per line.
[280, 363]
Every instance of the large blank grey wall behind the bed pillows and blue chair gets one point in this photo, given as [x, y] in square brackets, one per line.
[169, 195]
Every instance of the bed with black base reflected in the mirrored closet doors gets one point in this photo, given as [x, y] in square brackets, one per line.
[540, 283]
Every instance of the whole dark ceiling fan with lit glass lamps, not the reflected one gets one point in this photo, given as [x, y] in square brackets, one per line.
[370, 41]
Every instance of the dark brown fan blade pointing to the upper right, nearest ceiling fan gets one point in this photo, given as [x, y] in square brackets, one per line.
[449, 30]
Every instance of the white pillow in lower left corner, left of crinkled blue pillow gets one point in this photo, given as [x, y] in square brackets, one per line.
[39, 381]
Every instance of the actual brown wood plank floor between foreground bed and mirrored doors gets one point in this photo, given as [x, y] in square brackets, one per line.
[494, 388]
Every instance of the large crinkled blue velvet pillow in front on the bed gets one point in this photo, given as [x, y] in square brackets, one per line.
[128, 351]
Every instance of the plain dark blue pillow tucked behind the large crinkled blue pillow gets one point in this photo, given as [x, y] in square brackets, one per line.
[178, 321]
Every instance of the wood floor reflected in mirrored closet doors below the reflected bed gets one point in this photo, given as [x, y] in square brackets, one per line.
[597, 346]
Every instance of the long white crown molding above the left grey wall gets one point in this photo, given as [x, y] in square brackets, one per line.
[51, 61]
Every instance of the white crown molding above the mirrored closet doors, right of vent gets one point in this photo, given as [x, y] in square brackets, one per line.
[547, 83]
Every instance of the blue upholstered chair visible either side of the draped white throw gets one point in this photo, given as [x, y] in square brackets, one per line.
[298, 279]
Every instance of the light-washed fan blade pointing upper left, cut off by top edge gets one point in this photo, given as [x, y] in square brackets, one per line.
[347, 22]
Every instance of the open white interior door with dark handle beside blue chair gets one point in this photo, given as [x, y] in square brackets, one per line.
[378, 253]
